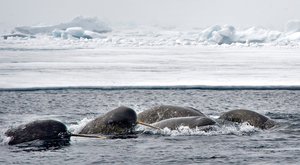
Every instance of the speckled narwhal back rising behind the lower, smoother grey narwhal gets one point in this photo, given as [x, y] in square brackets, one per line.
[163, 112]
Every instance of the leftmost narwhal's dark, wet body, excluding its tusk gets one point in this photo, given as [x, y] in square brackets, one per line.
[38, 130]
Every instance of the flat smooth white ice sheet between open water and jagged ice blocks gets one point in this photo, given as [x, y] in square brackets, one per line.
[173, 66]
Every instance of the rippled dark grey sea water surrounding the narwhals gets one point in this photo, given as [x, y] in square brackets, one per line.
[242, 144]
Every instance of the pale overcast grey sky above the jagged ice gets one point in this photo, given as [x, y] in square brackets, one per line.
[193, 13]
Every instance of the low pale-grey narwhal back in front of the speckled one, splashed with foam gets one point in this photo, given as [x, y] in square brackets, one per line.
[191, 122]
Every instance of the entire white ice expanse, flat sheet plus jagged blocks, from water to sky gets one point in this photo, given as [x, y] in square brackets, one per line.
[80, 54]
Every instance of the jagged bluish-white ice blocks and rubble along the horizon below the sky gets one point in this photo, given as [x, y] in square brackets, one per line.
[105, 35]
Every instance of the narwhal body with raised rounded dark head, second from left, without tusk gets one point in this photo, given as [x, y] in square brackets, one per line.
[118, 121]
